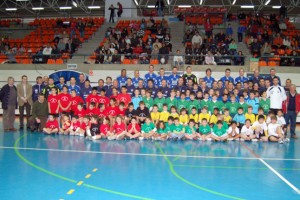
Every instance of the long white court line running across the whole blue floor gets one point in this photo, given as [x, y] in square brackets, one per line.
[145, 154]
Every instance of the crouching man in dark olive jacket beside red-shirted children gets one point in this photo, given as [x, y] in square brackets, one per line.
[39, 114]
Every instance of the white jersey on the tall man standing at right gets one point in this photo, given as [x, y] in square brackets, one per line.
[277, 95]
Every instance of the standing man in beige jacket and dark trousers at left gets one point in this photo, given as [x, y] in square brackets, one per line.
[24, 90]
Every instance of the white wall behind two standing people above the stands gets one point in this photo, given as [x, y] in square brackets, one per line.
[127, 12]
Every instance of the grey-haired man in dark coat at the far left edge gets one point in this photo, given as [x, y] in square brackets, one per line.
[8, 97]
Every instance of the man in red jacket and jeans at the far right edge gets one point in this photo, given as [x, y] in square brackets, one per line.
[291, 109]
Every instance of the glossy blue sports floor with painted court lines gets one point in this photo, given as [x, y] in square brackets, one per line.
[35, 166]
